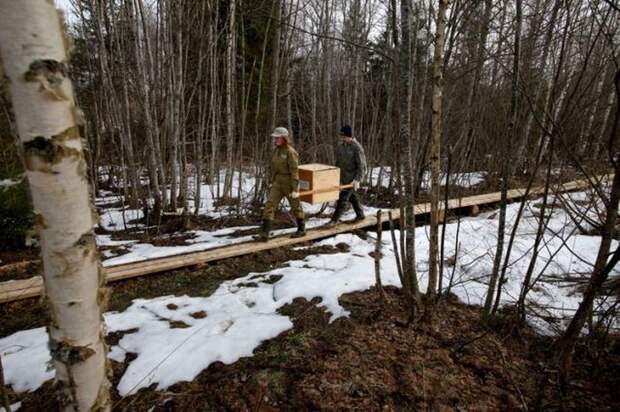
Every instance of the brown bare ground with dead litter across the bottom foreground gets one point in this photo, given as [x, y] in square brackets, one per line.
[374, 360]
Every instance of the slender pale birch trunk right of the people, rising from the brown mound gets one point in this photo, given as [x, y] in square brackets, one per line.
[436, 130]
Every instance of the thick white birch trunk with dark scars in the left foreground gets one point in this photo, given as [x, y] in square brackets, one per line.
[32, 46]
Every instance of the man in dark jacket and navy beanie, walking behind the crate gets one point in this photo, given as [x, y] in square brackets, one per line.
[351, 160]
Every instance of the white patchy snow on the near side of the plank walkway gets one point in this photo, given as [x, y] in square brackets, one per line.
[242, 313]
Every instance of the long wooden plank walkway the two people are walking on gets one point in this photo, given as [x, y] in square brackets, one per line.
[28, 288]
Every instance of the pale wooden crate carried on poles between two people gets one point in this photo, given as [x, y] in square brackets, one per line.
[322, 180]
